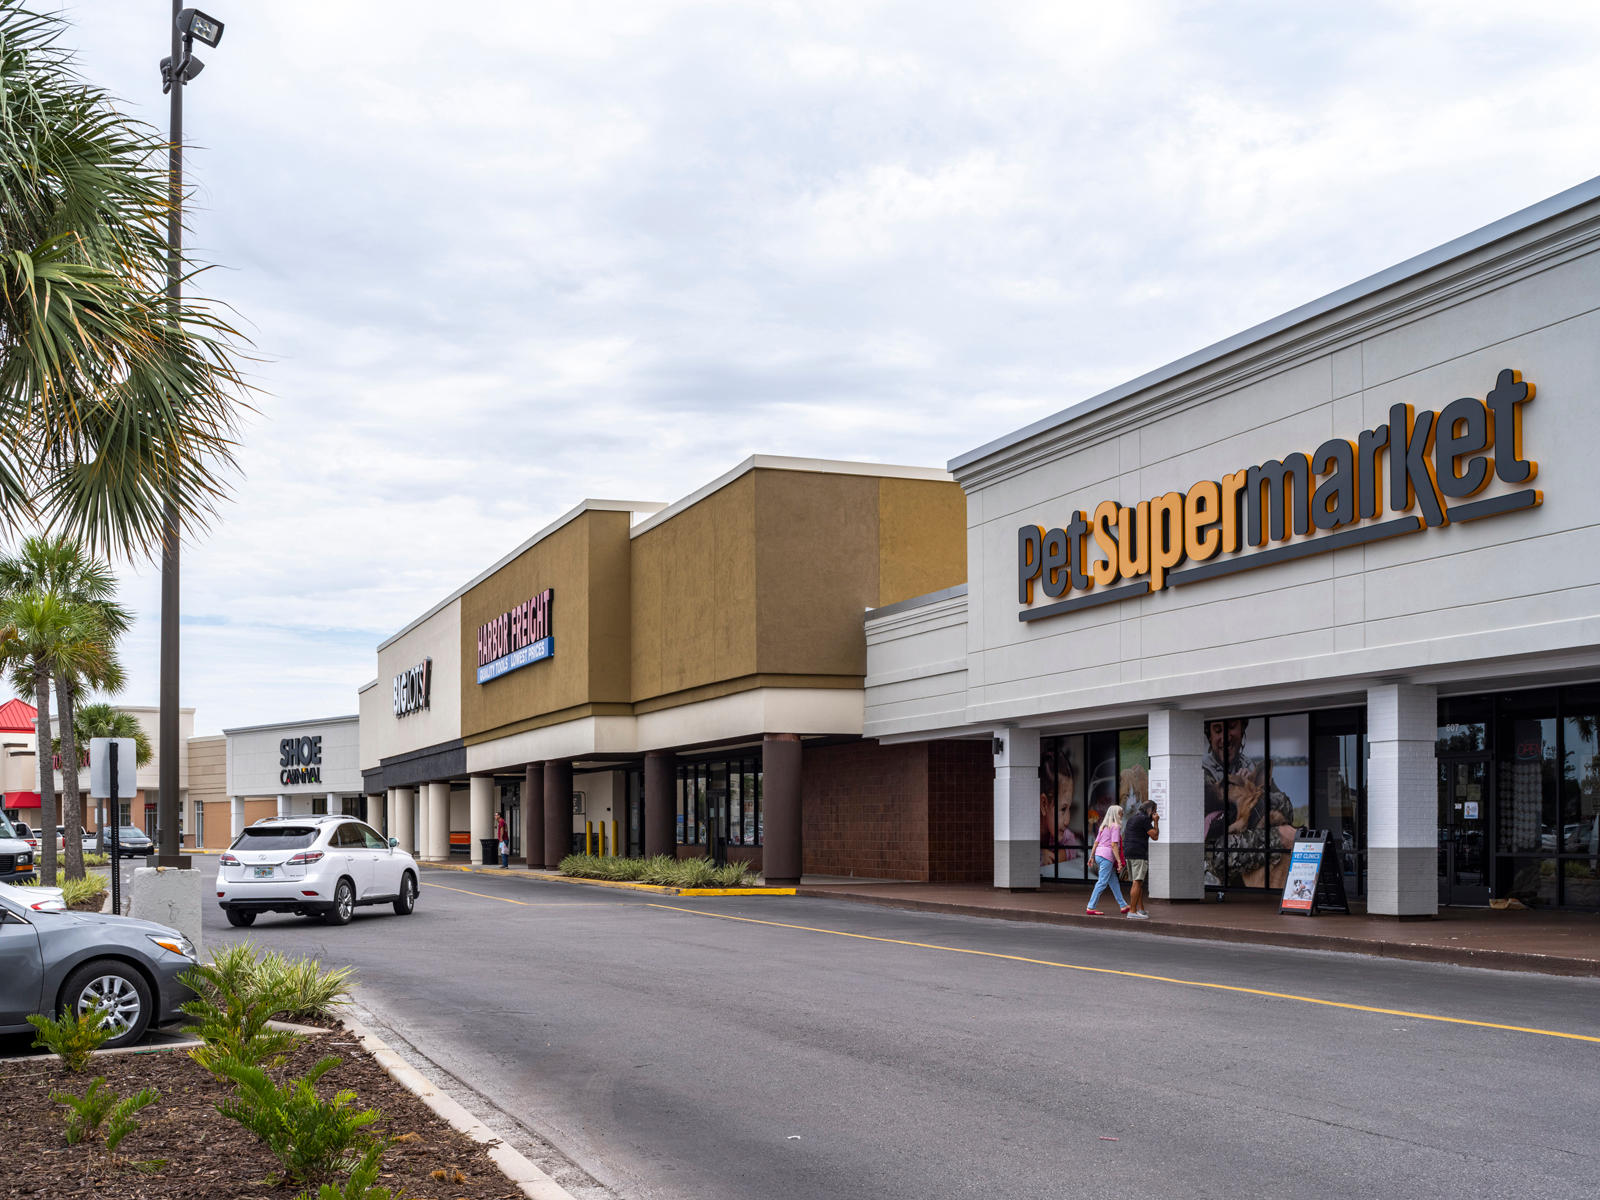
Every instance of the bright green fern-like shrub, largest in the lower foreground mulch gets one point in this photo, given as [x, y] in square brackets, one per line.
[311, 1138]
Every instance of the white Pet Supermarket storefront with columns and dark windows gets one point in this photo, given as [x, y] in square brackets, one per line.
[1338, 570]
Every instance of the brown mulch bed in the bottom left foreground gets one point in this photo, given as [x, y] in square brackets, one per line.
[210, 1158]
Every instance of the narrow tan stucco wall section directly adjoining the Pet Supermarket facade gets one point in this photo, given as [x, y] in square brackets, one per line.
[922, 538]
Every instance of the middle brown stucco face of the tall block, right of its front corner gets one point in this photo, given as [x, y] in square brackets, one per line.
[817, 570]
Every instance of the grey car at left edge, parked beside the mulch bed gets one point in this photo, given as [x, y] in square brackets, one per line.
[60, 961]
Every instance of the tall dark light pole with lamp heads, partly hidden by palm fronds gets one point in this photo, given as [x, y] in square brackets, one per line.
[190, 26]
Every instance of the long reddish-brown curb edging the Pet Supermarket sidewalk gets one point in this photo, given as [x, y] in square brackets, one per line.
[1494, 961]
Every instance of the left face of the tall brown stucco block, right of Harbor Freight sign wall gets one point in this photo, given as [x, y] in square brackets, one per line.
[695, 594]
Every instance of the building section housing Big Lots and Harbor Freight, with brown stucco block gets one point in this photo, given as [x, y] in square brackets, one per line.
[682, 679]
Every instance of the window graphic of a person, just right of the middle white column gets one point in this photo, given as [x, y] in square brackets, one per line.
[1244, 814]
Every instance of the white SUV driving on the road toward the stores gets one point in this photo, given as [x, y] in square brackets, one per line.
[313, 865]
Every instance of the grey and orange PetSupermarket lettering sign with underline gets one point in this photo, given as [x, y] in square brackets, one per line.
[1428, 462]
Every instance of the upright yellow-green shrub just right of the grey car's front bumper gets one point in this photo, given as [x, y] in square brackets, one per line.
[231, 1015]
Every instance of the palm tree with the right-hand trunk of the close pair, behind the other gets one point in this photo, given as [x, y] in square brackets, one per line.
[60, 567]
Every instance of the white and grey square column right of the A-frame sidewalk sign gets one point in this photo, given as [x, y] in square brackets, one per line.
[1402, 801]
